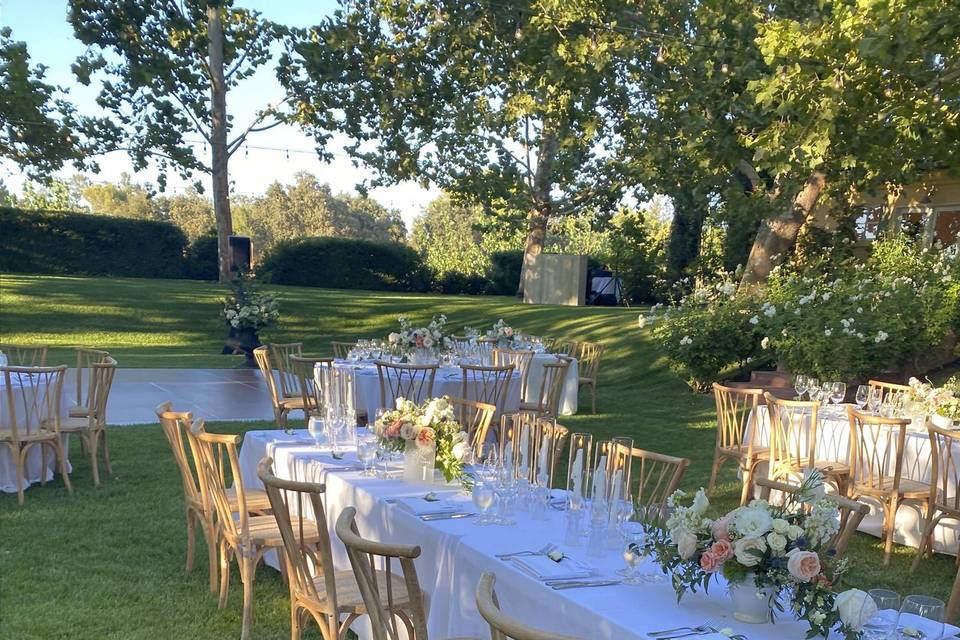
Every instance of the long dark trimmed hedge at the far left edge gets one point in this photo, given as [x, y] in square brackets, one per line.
[85, 244]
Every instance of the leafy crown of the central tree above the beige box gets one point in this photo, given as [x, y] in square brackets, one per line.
[501, 103]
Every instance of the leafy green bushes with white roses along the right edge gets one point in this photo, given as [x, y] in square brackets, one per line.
[899, 310]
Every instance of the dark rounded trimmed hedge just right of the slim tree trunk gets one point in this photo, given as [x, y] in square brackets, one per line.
[342, 263]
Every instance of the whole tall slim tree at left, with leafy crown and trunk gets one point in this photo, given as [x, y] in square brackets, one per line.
[168, 67]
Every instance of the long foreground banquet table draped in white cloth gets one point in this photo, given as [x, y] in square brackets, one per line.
[456, 552]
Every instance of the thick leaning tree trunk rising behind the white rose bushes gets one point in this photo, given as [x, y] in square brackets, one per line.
[778, 233]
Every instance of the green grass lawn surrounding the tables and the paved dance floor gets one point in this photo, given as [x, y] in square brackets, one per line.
[108, 563]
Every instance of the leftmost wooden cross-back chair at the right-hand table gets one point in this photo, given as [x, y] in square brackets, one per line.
[736, 433]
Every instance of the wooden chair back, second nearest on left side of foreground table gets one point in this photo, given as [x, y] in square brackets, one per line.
[378, 594]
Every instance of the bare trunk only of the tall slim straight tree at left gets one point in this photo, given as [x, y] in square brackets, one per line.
[218, 142]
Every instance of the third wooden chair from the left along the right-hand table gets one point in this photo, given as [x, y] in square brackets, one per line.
[877, 445]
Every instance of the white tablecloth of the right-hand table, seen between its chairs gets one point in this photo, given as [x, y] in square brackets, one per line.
[833, 444]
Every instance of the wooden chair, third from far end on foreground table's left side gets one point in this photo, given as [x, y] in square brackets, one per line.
[332, 598]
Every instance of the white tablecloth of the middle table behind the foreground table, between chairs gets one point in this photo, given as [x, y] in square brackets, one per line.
[448, 382]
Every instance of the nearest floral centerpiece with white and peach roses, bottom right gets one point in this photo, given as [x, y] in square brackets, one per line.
[780, 554]
